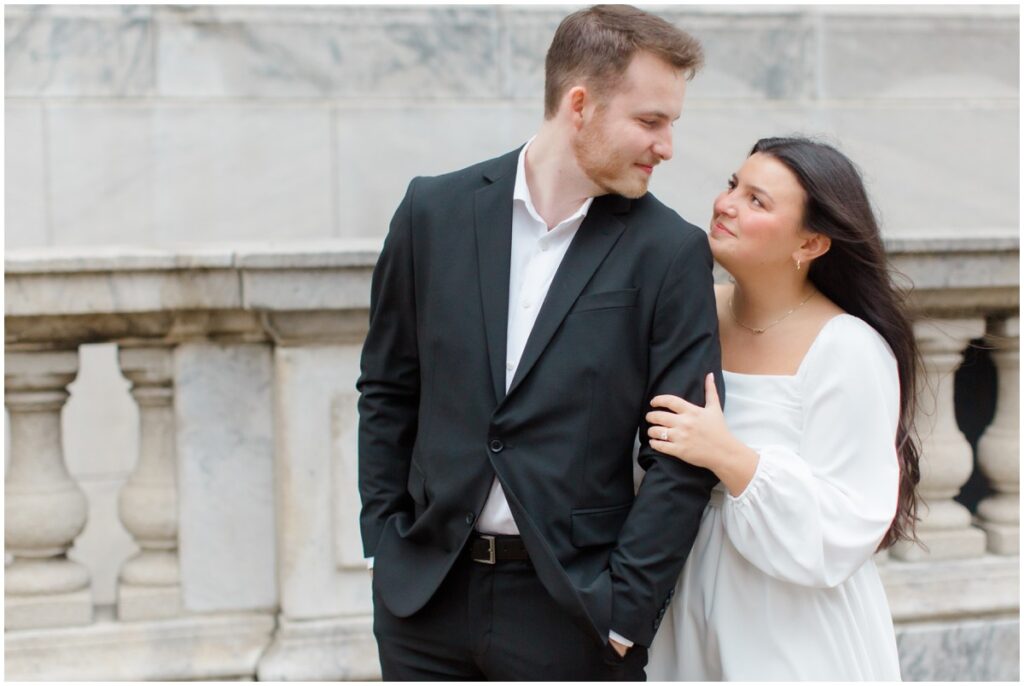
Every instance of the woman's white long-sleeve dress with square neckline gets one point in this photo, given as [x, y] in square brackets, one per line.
[781, 584]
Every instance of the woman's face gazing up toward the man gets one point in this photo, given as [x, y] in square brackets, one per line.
[757, 222]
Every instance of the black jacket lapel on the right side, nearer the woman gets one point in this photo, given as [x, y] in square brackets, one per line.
[595, 238]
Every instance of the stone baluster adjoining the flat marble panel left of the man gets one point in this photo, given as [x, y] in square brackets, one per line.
[150, 584]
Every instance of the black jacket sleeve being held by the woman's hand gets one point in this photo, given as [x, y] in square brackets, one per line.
[658, 535]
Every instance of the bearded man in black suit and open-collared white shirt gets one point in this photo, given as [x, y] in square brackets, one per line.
[524, 314]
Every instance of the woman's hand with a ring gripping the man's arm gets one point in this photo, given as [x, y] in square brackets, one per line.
[701, 438]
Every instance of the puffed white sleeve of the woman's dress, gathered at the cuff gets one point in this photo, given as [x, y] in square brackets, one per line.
[814, 519]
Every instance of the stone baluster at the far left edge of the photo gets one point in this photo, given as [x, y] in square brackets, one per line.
[45, 508]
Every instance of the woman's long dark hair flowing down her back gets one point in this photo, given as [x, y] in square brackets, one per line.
[856, 275]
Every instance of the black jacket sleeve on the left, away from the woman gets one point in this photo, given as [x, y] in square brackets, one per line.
[390, 382]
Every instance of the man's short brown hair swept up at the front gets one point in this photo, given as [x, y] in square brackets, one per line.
[596, 47]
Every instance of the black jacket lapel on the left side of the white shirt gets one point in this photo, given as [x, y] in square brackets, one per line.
[493, 208]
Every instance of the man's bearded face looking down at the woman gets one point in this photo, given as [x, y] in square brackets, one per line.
[621, 143]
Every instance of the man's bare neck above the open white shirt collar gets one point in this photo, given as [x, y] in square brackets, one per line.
[558, 186]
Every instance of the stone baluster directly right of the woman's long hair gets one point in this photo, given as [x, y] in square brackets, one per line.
[947, 460]
